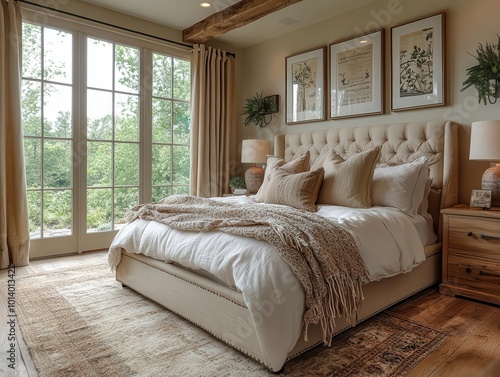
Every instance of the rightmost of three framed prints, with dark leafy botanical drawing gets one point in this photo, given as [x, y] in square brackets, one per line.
[418, 63]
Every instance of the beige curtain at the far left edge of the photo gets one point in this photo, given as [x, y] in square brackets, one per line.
[14, 229]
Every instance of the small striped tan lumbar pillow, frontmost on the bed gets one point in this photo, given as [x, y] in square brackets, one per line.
[299, 190]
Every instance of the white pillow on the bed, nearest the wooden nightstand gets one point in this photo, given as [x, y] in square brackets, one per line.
[400, 186]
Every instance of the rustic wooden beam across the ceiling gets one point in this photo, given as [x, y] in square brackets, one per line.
[233, 17]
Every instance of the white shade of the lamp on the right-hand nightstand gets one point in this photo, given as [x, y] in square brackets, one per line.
[485, 140]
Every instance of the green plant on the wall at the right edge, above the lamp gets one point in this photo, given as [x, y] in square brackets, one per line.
[488, 68]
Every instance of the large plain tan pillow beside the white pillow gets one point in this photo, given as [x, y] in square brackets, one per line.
[348, 182]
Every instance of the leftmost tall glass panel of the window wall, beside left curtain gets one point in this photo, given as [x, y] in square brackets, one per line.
[47, 124]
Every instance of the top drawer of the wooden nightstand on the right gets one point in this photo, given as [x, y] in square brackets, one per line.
[481, 235]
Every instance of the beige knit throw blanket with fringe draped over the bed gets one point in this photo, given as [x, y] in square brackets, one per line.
[322, 255]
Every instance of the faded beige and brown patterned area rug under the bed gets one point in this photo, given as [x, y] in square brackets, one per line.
[82, 322]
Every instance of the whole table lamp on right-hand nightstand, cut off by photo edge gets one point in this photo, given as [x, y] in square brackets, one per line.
[485, 145]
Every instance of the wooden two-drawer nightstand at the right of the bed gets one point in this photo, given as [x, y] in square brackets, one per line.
[471, 253]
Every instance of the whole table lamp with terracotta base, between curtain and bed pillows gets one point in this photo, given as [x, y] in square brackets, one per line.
[254, 151]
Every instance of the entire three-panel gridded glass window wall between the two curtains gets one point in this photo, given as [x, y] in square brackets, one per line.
[99, 142]
